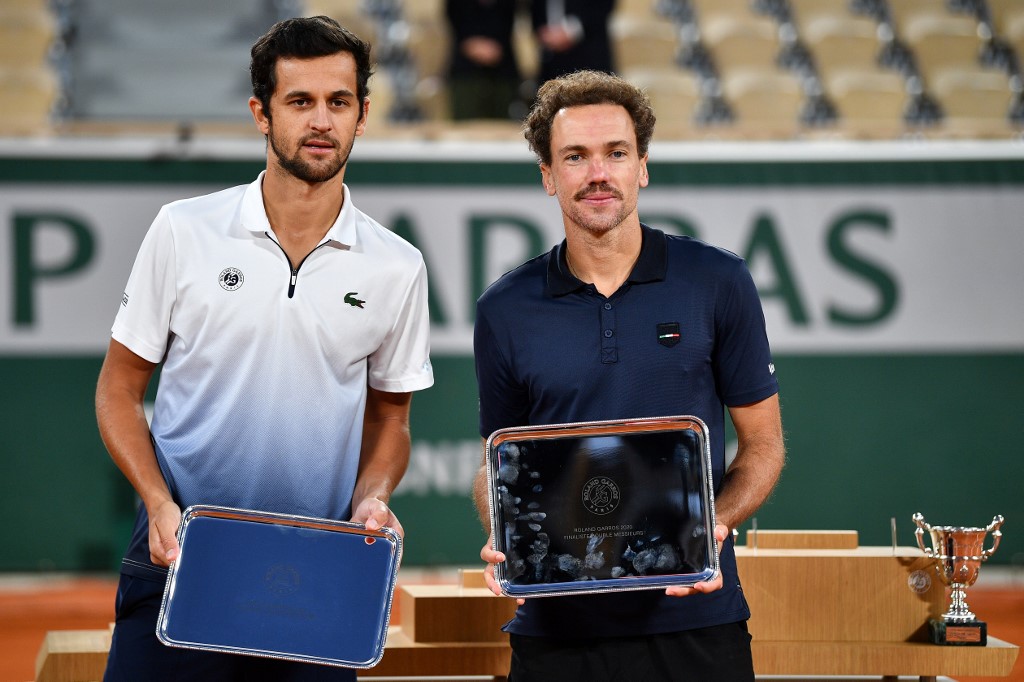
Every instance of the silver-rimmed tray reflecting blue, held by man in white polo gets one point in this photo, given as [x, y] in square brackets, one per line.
[280, 586]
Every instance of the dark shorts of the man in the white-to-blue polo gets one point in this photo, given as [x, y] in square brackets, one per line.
[138, 655]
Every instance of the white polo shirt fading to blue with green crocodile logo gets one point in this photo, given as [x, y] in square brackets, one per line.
[262, 397]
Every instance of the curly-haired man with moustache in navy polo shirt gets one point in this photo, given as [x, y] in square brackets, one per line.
[622, 321]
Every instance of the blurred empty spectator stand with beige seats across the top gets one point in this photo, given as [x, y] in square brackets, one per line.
[757, 69]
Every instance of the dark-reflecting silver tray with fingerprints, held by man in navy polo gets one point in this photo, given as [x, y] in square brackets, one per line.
[603, 506]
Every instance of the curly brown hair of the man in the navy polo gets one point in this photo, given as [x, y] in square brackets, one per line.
[578, 90]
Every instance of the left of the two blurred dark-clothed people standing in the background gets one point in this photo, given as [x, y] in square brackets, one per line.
[484, 75]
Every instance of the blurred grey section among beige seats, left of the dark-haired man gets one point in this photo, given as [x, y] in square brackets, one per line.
[187, 61]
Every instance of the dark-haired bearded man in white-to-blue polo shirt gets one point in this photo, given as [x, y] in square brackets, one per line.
[292, 329]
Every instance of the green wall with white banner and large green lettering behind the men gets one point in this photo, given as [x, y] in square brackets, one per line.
[891, 283]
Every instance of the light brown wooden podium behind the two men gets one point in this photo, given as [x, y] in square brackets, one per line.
[860, 612]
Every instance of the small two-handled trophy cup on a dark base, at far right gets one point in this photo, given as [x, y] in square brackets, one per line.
[959, 553]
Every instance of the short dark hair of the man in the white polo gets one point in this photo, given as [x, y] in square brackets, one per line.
[305, 38]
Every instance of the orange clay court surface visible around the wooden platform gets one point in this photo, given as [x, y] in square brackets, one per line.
[32, 606]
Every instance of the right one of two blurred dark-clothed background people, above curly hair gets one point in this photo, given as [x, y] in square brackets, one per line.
[573, 36]
